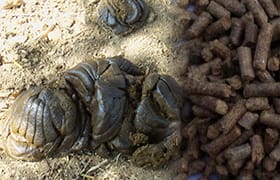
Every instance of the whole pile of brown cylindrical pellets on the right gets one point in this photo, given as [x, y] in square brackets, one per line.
[233, 82]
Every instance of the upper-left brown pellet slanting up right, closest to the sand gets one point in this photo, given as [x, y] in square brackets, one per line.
[200, 24]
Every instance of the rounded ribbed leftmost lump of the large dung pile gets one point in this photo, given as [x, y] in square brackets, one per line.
[42, 122]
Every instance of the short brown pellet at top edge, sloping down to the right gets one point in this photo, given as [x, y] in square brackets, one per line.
[217, 10]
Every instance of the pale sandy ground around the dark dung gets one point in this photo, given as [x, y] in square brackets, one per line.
[39, 40]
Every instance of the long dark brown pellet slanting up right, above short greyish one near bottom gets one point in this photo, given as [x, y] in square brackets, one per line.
[221, 142]
